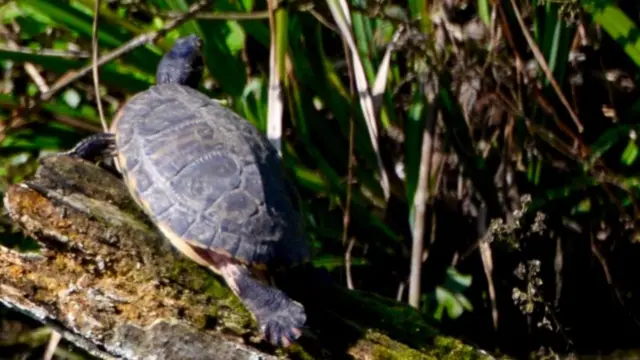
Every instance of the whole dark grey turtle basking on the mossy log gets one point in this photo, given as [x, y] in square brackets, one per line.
[213, 184]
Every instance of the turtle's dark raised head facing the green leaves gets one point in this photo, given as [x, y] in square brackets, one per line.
[183, 64]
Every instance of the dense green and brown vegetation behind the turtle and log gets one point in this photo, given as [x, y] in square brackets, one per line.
[505, 152]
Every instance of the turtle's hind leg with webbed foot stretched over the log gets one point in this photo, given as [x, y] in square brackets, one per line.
[280, 318]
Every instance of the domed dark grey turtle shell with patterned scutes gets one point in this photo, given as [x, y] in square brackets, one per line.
[208, 178]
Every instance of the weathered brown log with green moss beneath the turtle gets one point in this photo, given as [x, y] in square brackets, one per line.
[106, 279]
